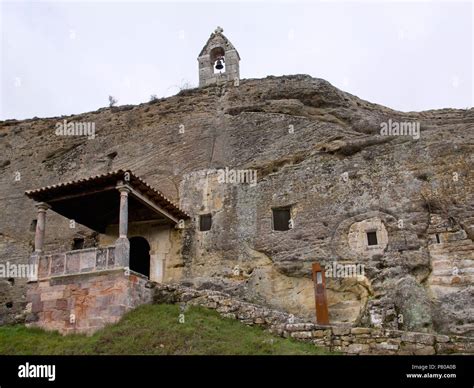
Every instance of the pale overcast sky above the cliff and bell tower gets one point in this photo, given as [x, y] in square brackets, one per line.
[63, 58]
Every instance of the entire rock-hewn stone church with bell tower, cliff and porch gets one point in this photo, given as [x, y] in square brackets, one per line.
[240, 185]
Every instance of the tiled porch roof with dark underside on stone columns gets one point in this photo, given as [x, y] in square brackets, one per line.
[95, 201]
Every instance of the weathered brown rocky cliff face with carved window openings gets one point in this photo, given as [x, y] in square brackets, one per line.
[315, 149]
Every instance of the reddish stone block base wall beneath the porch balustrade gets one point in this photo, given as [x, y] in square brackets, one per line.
[84, 303]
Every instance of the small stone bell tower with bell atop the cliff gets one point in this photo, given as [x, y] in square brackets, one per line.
[218, 60]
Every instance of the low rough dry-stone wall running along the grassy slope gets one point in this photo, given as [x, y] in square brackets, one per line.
[345, 339]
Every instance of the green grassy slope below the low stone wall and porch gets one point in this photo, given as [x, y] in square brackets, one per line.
[154, 329]
